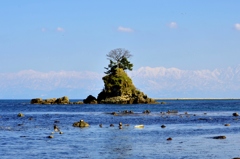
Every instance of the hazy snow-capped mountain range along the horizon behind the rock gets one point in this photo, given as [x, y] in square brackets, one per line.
[159, 82]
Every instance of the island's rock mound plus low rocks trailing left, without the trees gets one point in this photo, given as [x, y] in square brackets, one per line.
[118, 89]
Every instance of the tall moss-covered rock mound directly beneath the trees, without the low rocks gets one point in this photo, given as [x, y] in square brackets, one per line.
[119, 89]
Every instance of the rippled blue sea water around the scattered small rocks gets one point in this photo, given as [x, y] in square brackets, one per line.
[191, 133]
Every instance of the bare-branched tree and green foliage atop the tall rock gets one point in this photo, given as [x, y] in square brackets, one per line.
[118, 59]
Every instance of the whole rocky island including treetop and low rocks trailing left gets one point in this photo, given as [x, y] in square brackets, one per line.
[118, 86]
